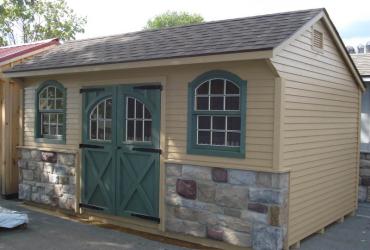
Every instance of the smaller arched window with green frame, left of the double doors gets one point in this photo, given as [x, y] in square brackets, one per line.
[51, 115]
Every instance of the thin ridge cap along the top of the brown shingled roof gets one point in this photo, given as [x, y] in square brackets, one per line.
[191, 25]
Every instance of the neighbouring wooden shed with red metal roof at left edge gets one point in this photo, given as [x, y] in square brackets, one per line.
[9, 111]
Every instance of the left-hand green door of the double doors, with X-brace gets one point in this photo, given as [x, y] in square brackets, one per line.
[98, 155]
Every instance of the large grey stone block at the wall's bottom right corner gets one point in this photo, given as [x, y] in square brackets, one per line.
[267, 237]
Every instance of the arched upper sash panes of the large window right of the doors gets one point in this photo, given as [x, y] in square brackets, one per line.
[217, 94]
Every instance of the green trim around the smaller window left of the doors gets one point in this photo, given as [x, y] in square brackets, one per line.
[39, 138]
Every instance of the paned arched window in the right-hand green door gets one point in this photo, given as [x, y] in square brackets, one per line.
[138, 121]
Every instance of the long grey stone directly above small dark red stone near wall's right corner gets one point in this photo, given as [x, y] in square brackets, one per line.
[270, 196]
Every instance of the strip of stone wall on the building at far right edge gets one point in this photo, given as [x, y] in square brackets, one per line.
[364, 185]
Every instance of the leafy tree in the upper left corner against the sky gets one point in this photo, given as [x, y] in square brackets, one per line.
[23, 21]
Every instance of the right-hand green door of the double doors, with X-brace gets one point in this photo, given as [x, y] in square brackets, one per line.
[138, 186]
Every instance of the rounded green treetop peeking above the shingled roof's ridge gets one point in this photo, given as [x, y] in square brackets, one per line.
[173, 18]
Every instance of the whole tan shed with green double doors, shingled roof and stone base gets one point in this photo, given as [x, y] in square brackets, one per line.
[241, 133]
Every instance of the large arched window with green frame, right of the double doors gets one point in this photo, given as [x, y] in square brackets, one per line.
[217, 115]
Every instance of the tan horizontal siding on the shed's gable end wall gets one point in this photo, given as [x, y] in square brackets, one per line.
[320, 133]
